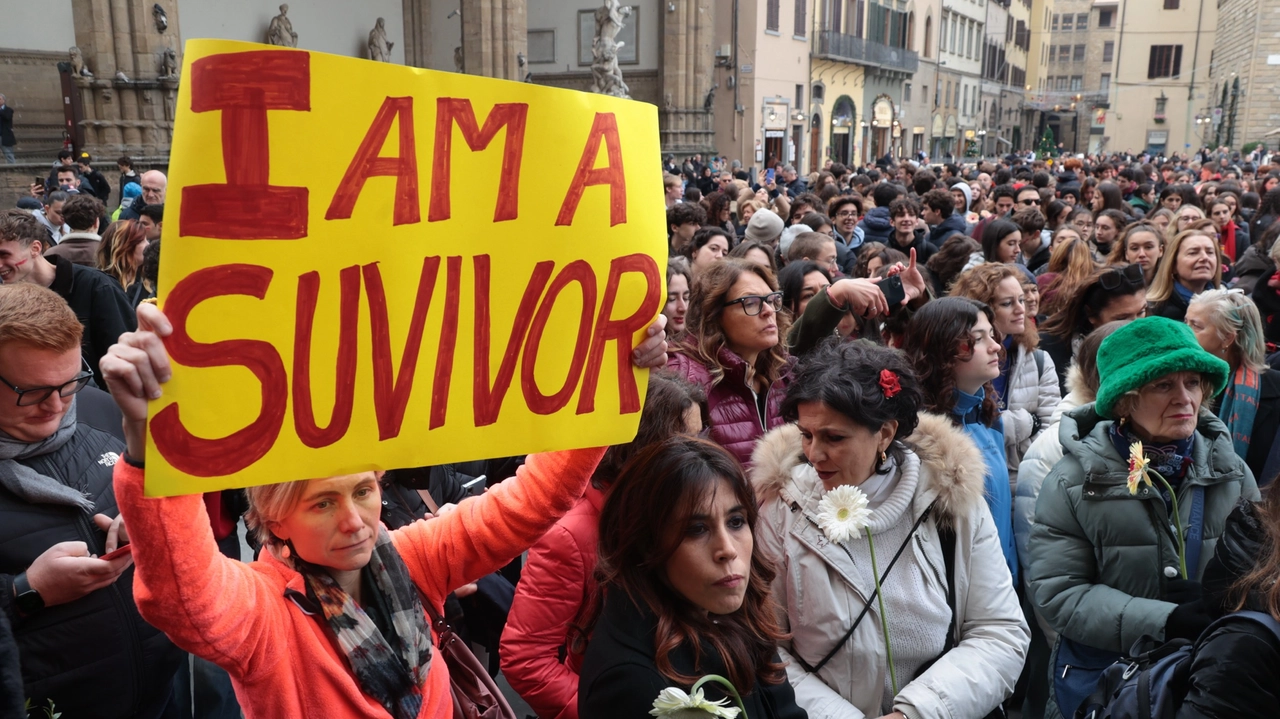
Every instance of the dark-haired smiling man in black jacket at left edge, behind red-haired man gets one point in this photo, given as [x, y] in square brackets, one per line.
[98, 303]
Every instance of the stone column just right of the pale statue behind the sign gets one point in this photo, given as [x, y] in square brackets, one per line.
[687, 76]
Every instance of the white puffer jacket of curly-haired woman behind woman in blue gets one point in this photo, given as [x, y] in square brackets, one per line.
[1031, 395]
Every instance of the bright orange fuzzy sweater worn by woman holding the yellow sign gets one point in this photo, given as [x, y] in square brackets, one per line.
[282, 662]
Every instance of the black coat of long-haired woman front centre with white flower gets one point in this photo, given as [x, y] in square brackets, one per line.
[620, 679]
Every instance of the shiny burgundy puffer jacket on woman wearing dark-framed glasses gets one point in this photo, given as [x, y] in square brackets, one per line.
[735, 423]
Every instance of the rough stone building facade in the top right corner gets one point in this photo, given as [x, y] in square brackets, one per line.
[1247, 67]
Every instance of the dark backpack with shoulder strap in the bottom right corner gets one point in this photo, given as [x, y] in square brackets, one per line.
[1153, 681]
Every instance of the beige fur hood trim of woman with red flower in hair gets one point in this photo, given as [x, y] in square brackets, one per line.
[953, 470]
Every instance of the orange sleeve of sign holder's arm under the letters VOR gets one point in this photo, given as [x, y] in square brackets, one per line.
[488, 532]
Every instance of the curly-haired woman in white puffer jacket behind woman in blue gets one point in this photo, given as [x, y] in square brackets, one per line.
[1027, 386]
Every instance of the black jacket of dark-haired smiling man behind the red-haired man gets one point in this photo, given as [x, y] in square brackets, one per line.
[99, 304]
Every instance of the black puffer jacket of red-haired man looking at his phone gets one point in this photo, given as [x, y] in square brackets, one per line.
[94, 657]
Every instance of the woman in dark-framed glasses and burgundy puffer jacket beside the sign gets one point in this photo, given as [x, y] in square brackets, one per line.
[735, 352]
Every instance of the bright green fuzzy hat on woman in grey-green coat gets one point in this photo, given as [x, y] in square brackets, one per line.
[1146, 350]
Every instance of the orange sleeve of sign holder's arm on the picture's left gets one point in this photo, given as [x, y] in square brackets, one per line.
[211, 606]
